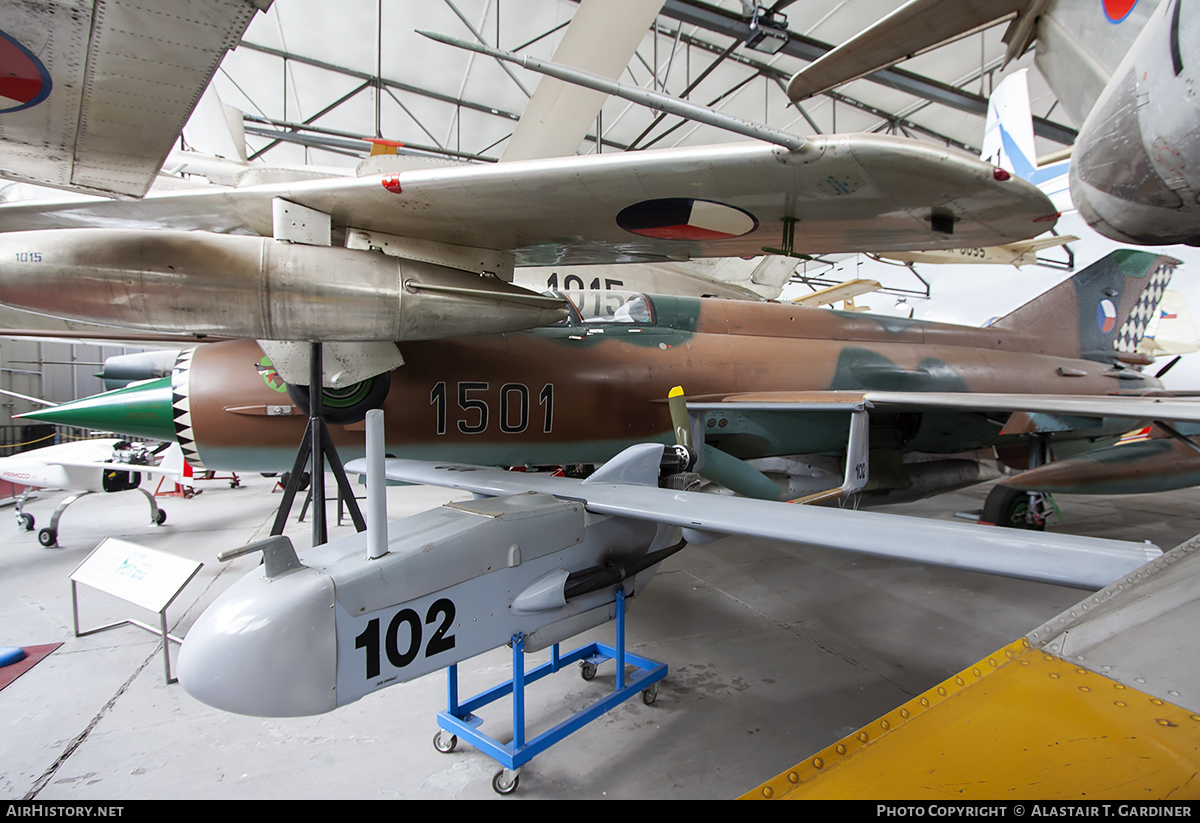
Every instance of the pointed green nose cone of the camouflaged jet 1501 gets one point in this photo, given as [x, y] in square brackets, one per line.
[139, 411]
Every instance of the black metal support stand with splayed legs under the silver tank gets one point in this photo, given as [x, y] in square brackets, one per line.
[320, 447]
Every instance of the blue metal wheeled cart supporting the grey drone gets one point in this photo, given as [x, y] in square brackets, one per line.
[461, 722]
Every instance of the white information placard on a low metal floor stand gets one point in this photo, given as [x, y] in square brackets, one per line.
[137, 575]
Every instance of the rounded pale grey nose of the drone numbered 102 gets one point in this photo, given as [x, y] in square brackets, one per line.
[266, 648]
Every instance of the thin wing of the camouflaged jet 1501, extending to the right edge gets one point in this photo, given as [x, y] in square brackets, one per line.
[1102, 406]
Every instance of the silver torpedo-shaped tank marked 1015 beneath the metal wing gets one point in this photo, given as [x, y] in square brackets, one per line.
[205, 284]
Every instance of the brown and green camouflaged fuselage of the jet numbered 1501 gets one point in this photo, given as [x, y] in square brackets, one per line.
[579, 393]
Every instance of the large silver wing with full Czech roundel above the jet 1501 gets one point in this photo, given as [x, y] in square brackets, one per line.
[844, 194]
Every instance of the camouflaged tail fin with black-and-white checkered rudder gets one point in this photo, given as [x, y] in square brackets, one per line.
[1102, 311]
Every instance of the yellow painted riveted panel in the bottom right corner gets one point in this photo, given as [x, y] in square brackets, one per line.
[1021, 724]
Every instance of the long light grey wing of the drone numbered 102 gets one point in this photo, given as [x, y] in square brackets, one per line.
[627, 488]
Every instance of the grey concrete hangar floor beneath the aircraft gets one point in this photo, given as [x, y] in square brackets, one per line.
[773, 653]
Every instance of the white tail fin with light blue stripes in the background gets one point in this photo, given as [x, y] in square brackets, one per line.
[1009, 141]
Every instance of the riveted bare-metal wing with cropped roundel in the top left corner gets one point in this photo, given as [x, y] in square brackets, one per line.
[95, 94]
